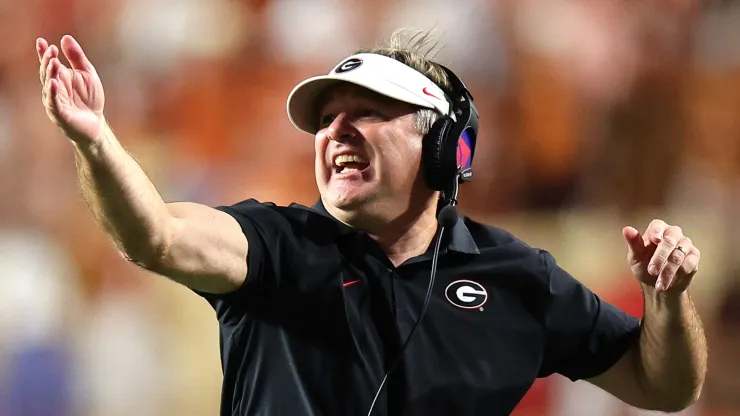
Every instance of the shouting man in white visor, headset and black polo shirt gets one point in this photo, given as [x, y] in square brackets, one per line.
[318, 305]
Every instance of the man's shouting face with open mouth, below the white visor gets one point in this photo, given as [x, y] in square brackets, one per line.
[368, 153]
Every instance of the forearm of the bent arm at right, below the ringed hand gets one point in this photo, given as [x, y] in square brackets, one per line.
[673, 351]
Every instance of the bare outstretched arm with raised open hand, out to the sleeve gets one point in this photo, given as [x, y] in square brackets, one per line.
[198, 246]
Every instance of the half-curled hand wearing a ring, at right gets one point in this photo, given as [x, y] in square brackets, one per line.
[662, 257]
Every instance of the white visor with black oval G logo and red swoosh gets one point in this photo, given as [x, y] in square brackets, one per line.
[378, 73]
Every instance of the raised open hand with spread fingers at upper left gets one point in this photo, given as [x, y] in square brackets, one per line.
[73, 96]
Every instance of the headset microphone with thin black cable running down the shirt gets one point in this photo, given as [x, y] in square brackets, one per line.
[446, 218]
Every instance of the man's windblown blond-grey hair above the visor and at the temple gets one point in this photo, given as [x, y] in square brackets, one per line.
[416, 49]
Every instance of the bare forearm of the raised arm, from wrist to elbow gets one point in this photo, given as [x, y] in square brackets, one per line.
[122, 198]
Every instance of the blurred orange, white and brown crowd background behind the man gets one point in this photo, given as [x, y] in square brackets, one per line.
[594, 115]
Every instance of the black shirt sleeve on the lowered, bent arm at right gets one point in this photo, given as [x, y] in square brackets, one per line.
[585, 335]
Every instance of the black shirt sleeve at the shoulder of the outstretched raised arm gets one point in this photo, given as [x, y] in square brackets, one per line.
[260, 223]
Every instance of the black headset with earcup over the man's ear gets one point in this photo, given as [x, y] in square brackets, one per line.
[449, 146]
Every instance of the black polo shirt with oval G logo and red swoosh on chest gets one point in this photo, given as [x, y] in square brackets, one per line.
[323, 312]
